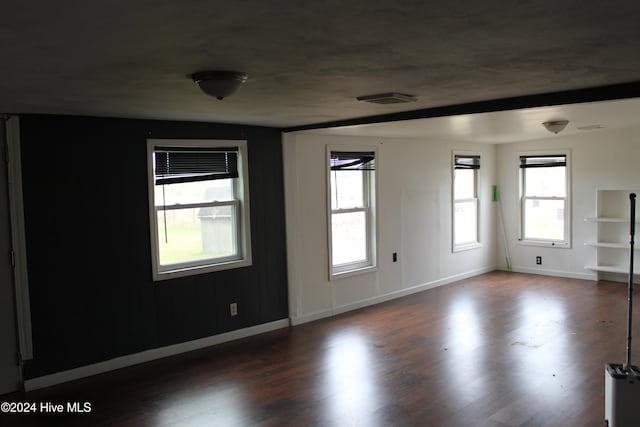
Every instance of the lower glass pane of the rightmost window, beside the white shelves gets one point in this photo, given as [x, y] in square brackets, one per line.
[544, 219]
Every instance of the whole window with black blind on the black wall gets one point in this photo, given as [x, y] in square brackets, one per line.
[199, 208]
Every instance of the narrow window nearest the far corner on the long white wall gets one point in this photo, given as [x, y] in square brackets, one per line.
[465, 201]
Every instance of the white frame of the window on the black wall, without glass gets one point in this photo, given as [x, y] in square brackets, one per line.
[240, 205]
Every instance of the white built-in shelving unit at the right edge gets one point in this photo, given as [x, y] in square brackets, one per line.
[612, 234]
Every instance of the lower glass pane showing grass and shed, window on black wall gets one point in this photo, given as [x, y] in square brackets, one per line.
[196, 234]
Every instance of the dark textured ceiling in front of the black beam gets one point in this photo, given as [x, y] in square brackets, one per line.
[307, 61]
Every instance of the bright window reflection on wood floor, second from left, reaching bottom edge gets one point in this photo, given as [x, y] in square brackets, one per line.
[350, 381]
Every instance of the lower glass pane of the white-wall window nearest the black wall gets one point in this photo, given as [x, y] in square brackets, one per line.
[348, 237]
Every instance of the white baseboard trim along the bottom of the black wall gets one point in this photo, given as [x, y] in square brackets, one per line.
[149, 355]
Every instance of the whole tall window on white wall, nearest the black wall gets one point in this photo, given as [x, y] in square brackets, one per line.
[351, 203]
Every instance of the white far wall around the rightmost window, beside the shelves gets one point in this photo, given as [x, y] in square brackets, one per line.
[603, 159]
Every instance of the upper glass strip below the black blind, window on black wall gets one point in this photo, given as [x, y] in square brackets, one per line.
[194, 192]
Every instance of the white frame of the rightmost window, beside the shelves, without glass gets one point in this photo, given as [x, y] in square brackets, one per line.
[566, 243]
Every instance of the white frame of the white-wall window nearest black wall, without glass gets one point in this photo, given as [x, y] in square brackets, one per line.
[369, 196]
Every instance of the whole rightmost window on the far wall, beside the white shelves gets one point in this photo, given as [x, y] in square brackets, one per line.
[544, 202]
